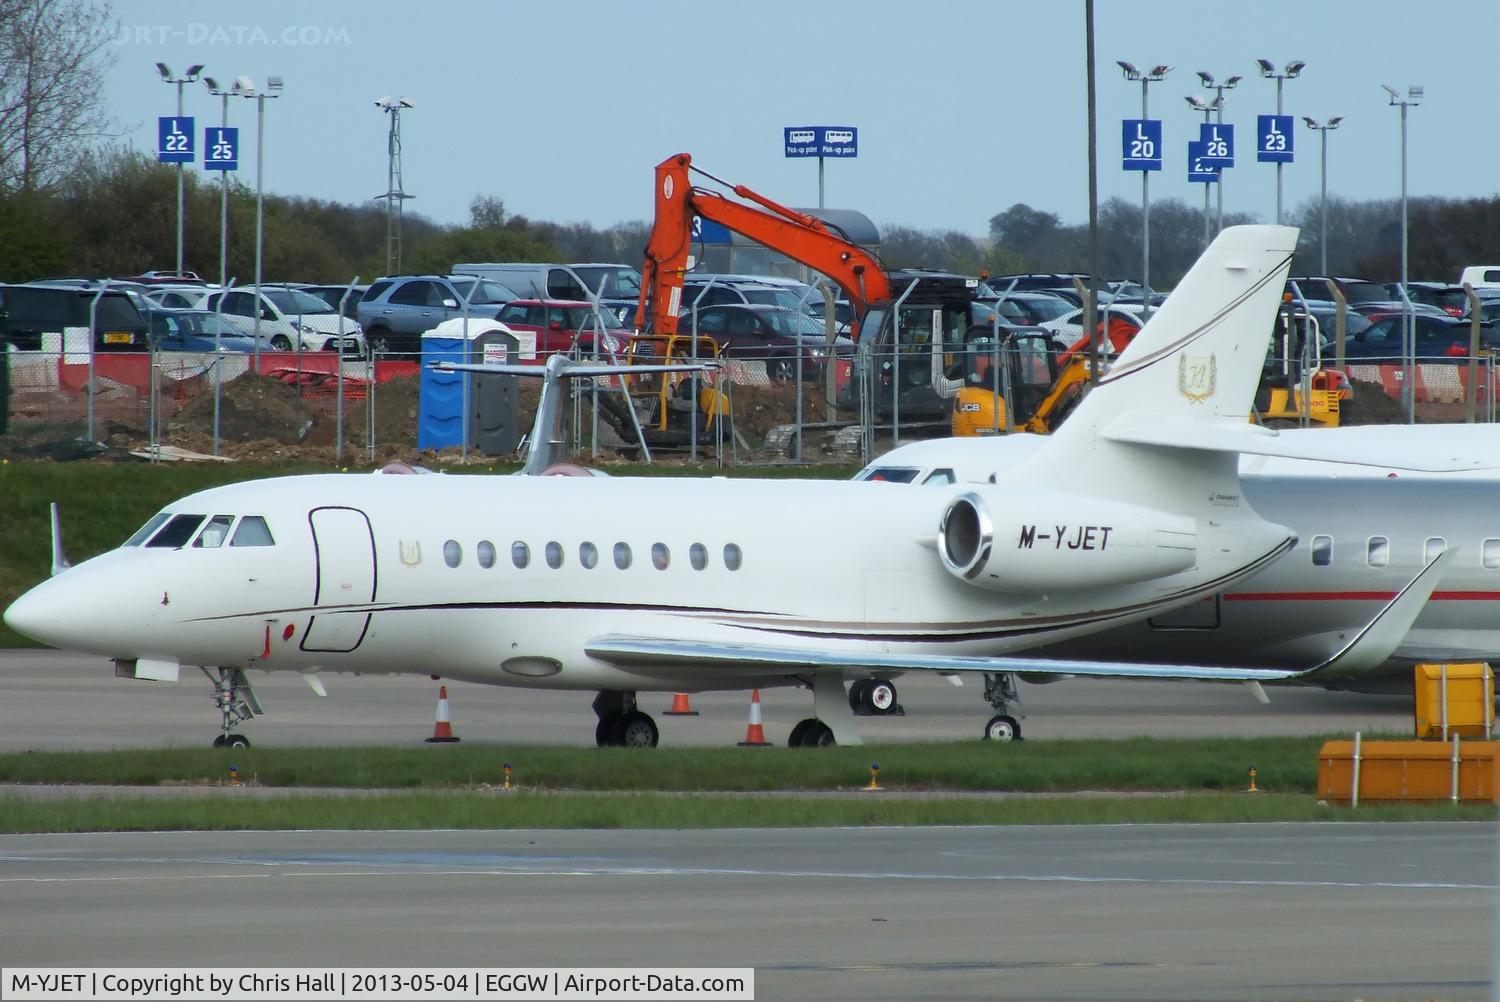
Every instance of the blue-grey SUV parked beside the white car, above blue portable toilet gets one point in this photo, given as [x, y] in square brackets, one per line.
[397, 311]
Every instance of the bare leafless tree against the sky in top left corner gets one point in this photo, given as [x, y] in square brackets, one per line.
[53, 59]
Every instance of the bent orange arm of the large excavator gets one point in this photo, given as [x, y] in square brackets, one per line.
[802, 238]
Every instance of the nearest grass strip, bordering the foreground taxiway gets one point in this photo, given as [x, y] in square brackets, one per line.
[658, 811]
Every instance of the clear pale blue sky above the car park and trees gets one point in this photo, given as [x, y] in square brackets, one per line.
[964, 107]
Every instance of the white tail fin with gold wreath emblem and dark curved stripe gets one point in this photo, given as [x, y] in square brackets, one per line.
[1196, 364]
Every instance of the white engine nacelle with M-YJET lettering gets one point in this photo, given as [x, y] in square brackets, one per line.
[1055, 542]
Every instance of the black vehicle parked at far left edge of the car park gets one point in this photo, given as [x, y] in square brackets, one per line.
[38, 314]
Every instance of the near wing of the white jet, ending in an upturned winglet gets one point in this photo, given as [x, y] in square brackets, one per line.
[1369, 650]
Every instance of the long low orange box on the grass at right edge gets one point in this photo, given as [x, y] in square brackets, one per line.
[1409, 770]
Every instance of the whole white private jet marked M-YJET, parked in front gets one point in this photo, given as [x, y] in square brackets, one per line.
[625, 586]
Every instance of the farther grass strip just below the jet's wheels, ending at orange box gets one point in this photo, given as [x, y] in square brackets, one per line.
[1283, 764]
